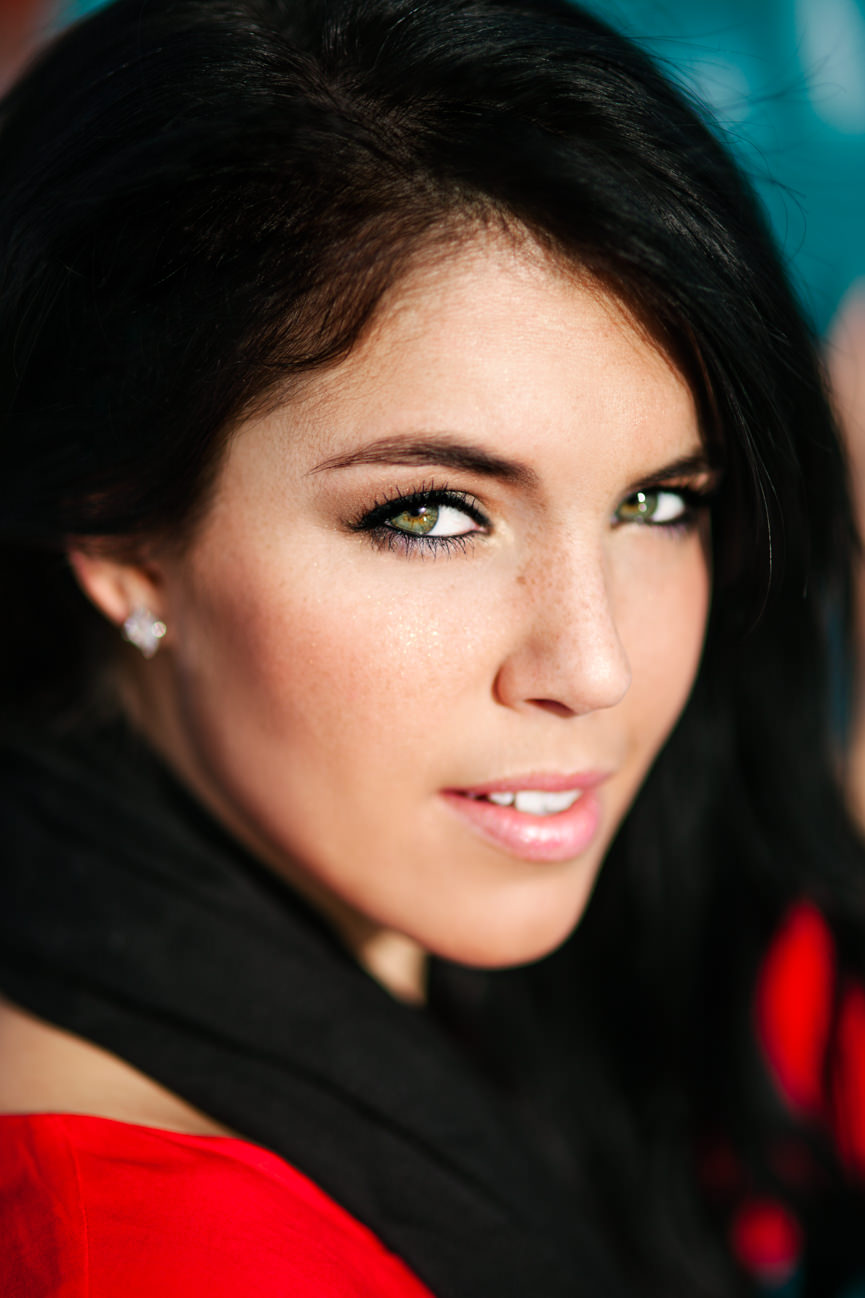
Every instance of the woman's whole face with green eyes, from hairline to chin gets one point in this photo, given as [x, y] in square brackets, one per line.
[445, 609]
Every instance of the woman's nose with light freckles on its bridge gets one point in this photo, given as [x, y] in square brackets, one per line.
[567, 656]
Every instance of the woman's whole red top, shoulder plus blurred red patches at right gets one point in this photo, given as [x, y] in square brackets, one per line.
[99, 1209]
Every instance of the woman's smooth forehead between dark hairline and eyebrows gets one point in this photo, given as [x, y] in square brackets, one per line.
[497, 341]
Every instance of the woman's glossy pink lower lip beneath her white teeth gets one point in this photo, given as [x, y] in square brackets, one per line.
[533, 838]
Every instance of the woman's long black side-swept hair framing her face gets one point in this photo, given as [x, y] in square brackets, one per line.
[205, 201]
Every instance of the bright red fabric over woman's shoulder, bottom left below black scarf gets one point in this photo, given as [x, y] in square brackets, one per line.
[98, 1209]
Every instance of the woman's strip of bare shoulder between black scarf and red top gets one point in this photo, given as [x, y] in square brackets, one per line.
[45, 1070]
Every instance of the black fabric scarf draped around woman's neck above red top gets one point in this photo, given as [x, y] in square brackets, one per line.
[131, 918]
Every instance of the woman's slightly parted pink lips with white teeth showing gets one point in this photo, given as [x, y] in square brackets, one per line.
[536, 817]
